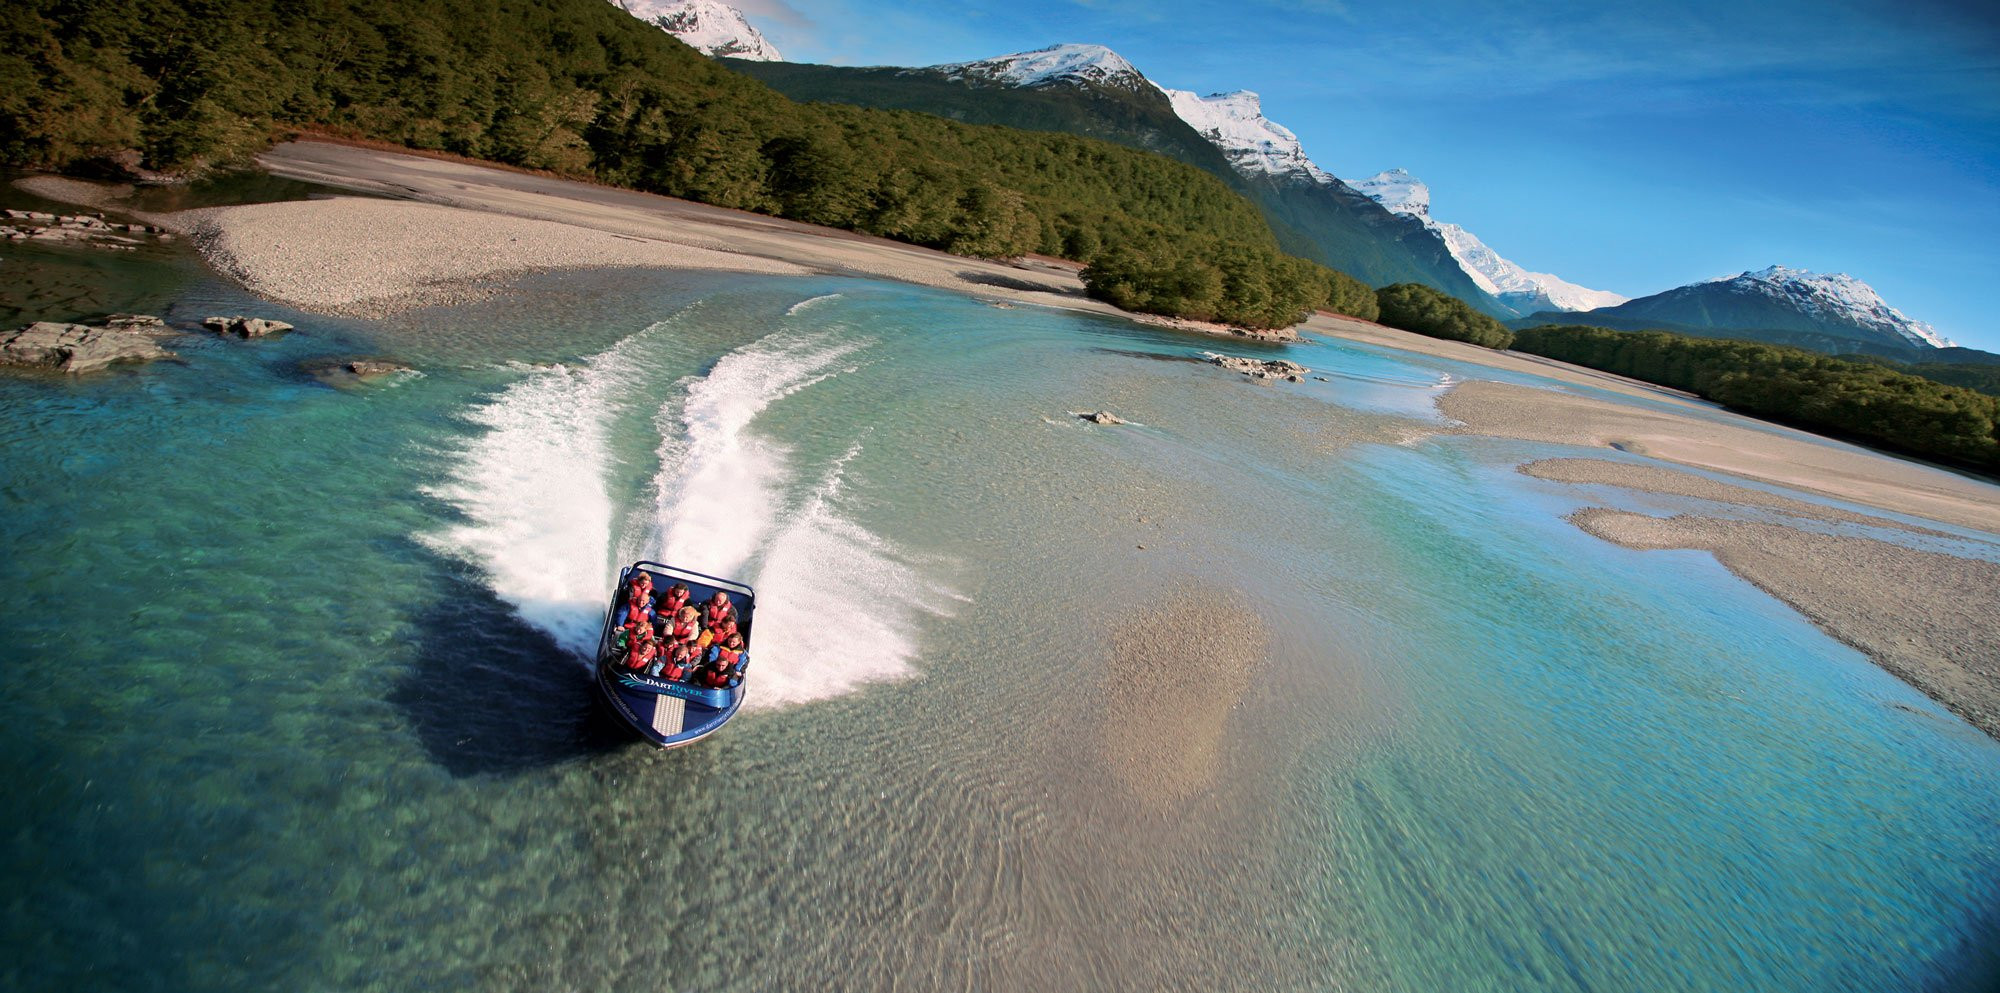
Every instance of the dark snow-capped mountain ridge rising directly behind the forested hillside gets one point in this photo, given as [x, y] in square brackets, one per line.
[1087, 89]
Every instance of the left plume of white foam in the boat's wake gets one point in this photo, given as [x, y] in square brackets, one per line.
[533, 493]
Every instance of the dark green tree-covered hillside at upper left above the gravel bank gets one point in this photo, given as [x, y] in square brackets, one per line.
[583, 89]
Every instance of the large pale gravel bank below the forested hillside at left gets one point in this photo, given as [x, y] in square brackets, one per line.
[463, 211]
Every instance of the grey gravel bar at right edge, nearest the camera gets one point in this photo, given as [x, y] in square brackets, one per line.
[1931, 620]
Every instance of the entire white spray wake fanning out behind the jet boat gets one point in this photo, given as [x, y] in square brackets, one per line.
[543, 518]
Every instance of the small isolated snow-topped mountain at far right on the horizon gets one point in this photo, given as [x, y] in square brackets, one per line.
[1831, 313]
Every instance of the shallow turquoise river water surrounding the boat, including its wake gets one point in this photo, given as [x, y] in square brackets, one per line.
[293, 700]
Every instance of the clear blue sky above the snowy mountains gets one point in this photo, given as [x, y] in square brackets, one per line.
[1625, 149]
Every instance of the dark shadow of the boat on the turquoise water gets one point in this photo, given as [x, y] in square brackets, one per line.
[495, 696]
